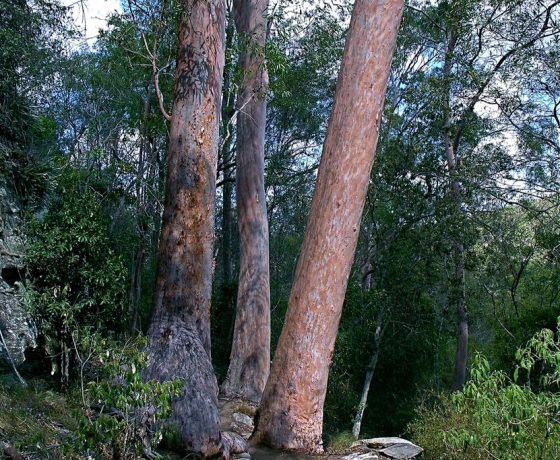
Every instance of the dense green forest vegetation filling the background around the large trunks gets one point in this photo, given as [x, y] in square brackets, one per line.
[83, 138]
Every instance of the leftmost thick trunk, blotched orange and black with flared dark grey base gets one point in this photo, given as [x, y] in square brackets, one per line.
[180, 330]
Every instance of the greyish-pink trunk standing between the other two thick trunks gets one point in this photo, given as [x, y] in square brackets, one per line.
[250, 355]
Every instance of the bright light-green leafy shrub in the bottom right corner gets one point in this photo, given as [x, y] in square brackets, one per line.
[497, 416]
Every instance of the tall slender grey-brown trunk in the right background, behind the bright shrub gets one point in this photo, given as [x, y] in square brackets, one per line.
[457, 293]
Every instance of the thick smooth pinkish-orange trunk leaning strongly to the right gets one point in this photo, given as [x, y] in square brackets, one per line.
[291, 411]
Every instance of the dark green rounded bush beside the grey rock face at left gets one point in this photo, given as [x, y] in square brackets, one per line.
[78, 278]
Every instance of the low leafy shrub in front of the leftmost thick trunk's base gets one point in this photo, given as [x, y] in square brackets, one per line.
[123, 411]
